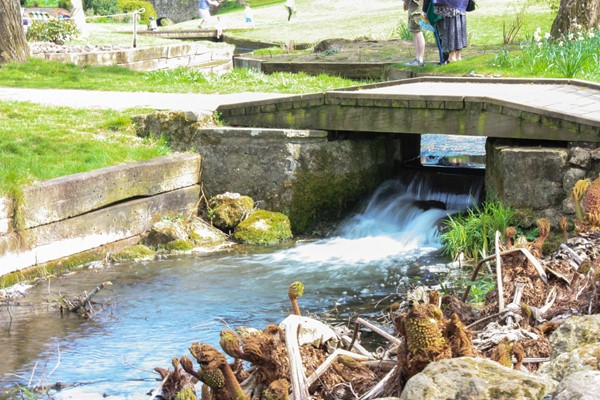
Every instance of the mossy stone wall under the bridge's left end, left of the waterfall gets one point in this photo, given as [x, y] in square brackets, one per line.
[302, 173]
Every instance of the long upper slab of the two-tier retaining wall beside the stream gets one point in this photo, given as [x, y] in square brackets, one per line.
[65, 197]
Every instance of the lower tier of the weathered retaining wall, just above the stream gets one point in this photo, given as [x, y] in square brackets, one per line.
[87, 231]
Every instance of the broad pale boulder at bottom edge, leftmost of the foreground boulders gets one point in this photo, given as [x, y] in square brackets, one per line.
[475, 379]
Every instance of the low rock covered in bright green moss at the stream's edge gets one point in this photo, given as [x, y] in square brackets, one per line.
[263, 228]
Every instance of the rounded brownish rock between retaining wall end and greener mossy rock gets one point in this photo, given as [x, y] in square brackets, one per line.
[227, 210]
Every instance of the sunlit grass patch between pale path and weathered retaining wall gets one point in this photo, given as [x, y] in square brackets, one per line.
[39, 143]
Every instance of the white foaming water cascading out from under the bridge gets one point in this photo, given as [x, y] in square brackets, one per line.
[399, 221]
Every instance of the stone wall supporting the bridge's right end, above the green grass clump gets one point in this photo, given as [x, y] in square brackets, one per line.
[540, 178]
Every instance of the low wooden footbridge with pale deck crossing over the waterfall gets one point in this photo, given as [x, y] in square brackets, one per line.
[540, 109]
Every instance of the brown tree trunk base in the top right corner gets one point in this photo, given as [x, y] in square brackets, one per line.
[575, 15]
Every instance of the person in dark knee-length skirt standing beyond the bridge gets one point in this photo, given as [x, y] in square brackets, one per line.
[453, 28]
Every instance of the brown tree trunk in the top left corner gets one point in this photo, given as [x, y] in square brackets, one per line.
[13, 46]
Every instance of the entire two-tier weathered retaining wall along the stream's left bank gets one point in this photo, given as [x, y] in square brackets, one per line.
[69, 215]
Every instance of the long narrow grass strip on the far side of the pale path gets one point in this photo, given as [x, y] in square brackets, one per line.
[37, 73]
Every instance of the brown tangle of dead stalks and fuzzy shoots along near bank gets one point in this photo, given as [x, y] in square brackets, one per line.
[304, 358]
